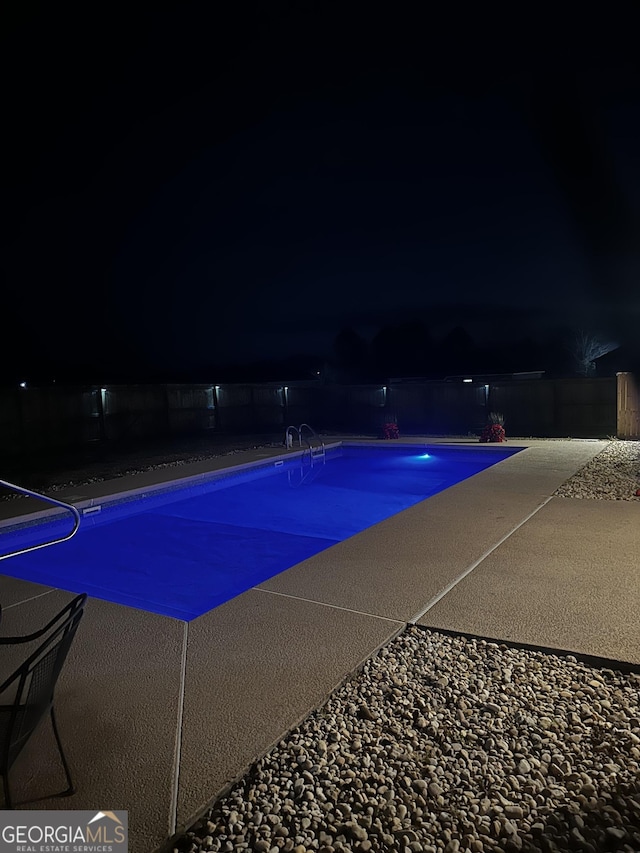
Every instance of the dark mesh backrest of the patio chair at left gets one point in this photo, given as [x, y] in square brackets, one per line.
[35, 680]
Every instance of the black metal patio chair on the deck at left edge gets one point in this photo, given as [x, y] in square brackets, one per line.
[31, 687]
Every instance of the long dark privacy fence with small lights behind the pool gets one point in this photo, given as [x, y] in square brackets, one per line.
[34, 419]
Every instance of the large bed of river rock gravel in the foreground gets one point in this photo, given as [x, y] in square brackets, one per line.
[442, 743]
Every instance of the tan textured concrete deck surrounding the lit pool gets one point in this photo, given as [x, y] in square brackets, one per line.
[158, 716]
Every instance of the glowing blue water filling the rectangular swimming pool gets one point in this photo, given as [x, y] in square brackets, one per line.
[183, 552]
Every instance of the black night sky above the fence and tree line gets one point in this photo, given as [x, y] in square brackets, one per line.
[195, 185]
